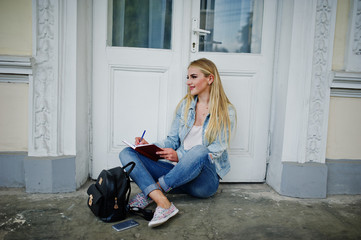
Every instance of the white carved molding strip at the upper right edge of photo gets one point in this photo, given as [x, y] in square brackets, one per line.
[353, 49]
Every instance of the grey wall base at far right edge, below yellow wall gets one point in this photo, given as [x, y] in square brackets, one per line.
[344, 176]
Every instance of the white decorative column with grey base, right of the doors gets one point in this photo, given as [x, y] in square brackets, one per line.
[302, 81]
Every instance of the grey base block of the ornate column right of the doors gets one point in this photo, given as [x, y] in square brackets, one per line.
[308, 180]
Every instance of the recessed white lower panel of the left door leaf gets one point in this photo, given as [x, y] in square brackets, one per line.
[146, 108]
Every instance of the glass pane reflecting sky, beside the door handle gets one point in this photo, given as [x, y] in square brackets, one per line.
[235, 26]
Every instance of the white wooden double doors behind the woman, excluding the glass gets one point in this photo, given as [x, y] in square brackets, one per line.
[137, 88]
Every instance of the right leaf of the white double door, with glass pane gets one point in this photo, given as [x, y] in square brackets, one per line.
[246, 73]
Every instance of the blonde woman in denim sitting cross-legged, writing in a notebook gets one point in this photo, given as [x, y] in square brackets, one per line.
[195, 148]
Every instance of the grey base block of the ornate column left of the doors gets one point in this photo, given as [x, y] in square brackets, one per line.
[50, 174]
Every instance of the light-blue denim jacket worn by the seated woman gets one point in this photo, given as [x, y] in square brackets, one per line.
[179, 129]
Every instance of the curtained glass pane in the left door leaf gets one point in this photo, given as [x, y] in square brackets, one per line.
[140, 23]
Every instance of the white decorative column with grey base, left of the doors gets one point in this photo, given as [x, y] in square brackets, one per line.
[50, 166]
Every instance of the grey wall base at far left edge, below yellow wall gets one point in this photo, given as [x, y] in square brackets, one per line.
[12, 169]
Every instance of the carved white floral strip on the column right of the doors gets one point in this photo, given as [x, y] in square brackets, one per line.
[321, 81]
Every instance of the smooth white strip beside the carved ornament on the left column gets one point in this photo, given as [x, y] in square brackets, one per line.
[67, 77]
